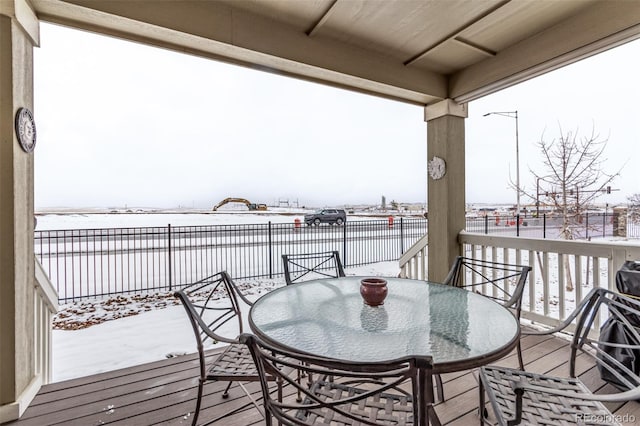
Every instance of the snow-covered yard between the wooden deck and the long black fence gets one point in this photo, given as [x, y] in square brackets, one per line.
[120, 332]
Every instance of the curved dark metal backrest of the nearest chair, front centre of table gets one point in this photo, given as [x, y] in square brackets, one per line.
[339, 385]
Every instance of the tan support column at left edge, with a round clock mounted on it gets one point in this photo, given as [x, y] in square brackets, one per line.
[19, 33]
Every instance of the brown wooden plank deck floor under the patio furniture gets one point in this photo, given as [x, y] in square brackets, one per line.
[164, 392]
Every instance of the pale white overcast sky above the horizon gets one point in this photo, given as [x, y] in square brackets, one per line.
[123, 124]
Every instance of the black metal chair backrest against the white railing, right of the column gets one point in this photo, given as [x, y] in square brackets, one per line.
[501, 282]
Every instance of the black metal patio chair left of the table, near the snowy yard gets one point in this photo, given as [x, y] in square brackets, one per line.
[211, 304]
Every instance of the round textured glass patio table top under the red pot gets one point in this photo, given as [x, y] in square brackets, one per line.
[458, 328]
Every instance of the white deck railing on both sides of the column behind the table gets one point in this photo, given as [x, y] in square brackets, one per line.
[556, 266]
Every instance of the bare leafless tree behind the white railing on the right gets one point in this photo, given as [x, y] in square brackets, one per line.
[572, 177]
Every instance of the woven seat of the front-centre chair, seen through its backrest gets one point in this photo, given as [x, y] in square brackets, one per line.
[379, 408]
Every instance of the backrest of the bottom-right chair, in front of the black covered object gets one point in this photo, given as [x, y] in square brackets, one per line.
[616, 349]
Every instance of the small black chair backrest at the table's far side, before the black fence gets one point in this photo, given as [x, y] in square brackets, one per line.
[308, 266]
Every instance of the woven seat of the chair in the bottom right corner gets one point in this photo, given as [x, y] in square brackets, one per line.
[539, 408]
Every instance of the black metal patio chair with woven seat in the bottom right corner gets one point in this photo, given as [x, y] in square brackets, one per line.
[521, 397]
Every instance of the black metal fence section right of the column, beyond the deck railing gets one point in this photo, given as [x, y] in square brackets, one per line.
[587, 226]
